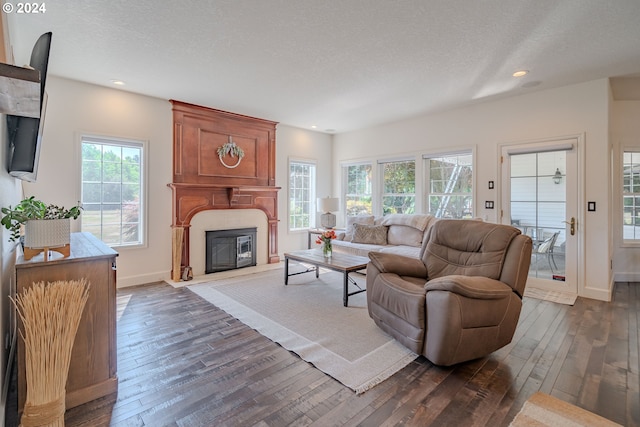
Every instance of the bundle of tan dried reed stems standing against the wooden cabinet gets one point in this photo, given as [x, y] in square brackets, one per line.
[50, 317]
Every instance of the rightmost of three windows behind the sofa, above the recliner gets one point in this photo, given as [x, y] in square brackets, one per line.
[450, 185]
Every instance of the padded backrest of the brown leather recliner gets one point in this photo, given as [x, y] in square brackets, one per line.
[467, 247]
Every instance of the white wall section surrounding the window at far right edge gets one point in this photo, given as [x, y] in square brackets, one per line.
[625, 133]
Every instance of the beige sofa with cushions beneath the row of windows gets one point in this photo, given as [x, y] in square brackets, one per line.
[400, 234]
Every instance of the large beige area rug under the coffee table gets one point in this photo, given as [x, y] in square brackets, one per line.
[308, 317]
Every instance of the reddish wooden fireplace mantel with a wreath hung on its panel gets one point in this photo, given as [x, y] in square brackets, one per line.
[204, 179]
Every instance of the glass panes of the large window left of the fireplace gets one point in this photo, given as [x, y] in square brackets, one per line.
[112, 192]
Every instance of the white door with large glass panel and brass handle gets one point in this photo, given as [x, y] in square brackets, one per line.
[540, 198]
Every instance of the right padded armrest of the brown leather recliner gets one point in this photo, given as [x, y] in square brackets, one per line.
[477, 287]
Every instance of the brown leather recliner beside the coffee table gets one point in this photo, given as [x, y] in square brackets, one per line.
[461, 300]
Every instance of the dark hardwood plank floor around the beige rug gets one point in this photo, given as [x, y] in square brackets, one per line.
[184, 362]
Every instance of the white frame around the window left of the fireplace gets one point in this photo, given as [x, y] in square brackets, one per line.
[144, 193]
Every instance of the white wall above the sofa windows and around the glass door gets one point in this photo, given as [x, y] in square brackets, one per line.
[569, 110]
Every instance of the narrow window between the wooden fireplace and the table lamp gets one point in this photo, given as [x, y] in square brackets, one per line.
[302, 195]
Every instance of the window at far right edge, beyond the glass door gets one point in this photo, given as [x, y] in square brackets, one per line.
[631, 195]
